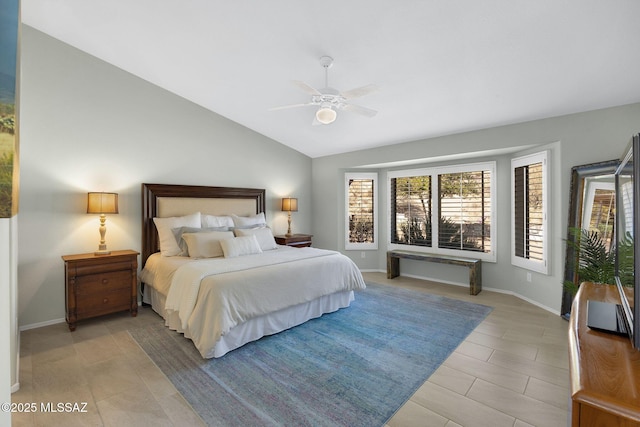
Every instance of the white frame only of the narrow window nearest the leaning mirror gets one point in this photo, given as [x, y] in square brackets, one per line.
[540, 266]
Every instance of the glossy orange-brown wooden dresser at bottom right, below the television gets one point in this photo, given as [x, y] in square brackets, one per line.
[605, 369]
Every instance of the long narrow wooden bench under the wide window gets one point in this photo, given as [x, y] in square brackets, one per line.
[474, 265]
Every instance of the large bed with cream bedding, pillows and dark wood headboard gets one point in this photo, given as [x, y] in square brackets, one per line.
[212, 269]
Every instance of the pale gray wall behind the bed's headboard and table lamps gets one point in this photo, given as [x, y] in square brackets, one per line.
[89, 126]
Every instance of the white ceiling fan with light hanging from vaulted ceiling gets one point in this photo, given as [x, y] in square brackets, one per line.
[330, 100]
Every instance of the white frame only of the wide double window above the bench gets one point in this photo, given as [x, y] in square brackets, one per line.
[490, 256]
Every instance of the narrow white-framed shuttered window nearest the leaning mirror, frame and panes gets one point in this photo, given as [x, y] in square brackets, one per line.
[529, 212]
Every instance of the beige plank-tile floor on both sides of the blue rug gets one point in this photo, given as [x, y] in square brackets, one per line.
[511, 371]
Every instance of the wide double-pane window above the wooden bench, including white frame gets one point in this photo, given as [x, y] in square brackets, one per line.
[447, 209]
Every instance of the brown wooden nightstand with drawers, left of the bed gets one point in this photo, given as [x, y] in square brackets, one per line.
[100, 284]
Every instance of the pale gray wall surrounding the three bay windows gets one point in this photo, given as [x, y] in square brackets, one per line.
[573, 140]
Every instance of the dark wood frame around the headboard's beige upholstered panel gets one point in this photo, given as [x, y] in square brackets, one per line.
[152, 192]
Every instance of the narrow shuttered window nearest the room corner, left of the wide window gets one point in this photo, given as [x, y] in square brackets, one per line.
[361, 204]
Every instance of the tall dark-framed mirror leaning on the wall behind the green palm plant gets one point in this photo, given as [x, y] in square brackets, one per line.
[590, 207]
